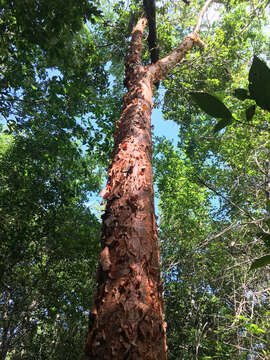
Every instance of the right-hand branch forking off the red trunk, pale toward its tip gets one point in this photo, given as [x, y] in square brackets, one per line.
[162, 67]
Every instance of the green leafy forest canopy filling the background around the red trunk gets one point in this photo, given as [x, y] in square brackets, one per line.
[61, 89]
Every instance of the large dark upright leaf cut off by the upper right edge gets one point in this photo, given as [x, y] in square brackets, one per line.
[259, 83]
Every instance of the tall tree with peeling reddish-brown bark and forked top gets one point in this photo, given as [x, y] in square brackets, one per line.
[126, 321]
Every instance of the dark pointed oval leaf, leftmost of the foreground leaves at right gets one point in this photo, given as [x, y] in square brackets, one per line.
[211, 105]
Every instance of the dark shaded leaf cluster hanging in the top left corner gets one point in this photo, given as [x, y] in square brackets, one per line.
[44, 23]
